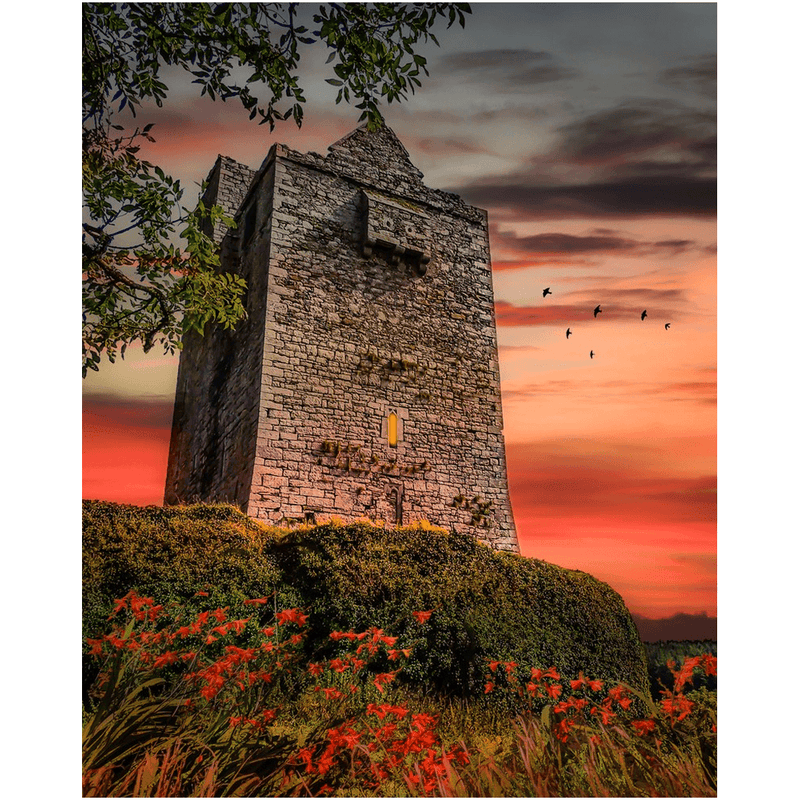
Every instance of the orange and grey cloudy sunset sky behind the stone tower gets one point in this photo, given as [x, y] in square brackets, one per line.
[588, 132]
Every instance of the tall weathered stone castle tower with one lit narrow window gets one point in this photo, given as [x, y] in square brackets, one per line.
[364, 381]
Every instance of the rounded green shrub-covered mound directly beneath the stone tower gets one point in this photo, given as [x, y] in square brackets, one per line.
[486, 604]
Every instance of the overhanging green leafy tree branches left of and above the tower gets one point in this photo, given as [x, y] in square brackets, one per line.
[138, 285]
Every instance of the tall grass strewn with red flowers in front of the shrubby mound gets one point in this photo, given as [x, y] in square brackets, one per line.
[192, 702]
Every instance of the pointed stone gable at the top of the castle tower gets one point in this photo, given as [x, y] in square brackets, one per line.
[367, 151]
